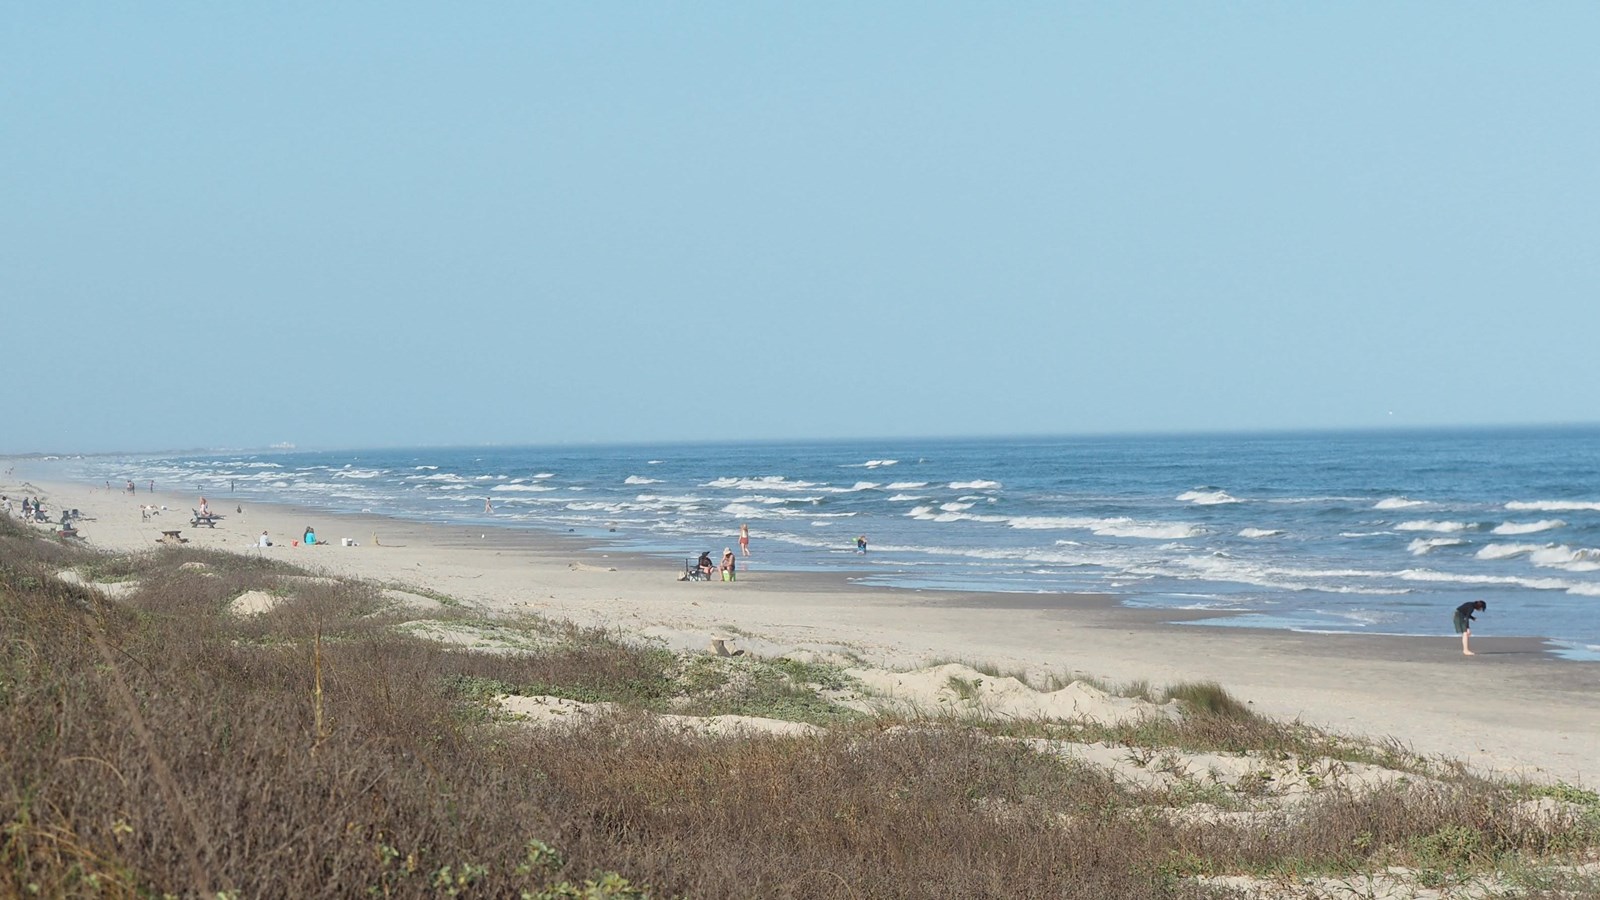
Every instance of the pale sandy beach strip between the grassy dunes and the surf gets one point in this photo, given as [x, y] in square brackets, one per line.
[1511, 710]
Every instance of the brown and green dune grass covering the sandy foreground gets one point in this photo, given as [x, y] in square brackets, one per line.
[162, 745]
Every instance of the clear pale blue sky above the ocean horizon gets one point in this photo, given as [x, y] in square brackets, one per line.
[359, 225]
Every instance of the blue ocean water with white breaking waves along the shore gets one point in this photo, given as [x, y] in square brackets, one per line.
[1367, 532]
